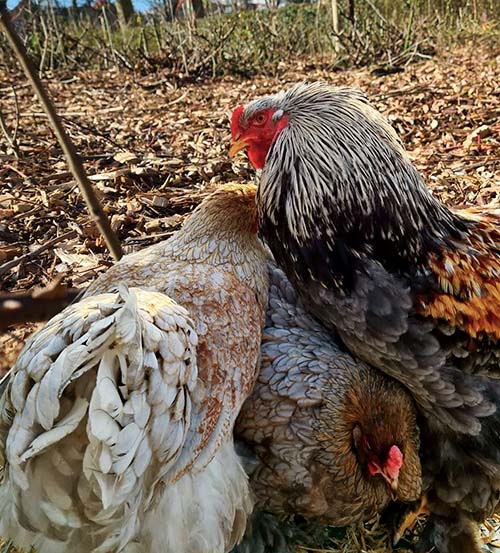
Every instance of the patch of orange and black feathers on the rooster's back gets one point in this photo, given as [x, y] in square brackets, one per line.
[466, 294]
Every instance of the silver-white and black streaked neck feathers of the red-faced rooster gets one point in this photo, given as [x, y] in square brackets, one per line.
[338, 188]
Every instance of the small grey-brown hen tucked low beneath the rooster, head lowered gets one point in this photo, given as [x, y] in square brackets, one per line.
[326, 437]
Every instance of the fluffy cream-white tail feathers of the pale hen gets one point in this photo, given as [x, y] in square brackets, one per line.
[96, 412]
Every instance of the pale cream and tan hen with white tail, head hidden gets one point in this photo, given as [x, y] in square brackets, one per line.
[116, 424]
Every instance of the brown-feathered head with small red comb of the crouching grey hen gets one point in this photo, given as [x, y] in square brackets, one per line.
[374, 424]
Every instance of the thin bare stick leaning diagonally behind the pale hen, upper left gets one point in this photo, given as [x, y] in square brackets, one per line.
[73, 160]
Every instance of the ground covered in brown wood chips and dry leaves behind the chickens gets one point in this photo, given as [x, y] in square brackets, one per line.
[153, 146]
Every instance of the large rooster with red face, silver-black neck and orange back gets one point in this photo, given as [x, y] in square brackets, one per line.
[411, 286]
